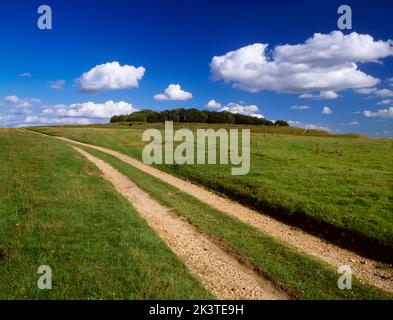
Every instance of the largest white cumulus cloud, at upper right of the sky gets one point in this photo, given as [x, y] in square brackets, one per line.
[324, 63]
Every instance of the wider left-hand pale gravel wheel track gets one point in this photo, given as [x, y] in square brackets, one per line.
[218, 271]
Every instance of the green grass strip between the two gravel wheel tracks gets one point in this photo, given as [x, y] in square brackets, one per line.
[303, 277]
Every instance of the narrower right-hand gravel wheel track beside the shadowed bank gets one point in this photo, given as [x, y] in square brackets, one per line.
[365, 270]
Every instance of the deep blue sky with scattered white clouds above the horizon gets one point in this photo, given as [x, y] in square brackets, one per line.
[175, 43]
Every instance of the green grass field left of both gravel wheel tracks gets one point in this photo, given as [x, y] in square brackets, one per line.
[56, 210]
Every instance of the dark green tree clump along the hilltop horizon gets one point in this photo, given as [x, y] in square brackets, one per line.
[195, 115]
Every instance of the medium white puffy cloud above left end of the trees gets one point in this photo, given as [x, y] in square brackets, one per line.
[111, 76]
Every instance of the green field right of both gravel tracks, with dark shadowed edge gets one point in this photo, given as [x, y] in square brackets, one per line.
[340, 187]
